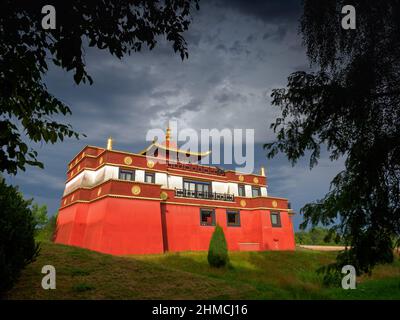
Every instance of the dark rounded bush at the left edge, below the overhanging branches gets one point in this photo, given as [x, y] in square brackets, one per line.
[17, 242]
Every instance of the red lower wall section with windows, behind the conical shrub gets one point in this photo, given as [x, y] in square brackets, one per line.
[184, 232]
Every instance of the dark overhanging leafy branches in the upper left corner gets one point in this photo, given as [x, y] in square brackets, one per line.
[121, 27]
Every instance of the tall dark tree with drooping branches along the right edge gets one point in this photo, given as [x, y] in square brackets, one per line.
[349, 104]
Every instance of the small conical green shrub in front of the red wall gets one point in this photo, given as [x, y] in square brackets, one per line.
[218, 249]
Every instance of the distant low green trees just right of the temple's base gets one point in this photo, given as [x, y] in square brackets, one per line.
[317, 236]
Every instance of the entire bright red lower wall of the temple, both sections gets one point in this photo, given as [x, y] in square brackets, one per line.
[139, 226]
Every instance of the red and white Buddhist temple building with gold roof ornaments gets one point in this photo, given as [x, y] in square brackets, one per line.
[120, 203]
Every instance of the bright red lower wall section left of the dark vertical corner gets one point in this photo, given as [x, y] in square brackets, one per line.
[112, 225]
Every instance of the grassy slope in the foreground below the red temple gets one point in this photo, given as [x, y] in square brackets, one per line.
[83, 274]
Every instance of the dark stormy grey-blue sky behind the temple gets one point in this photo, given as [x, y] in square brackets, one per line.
[238, 52]
